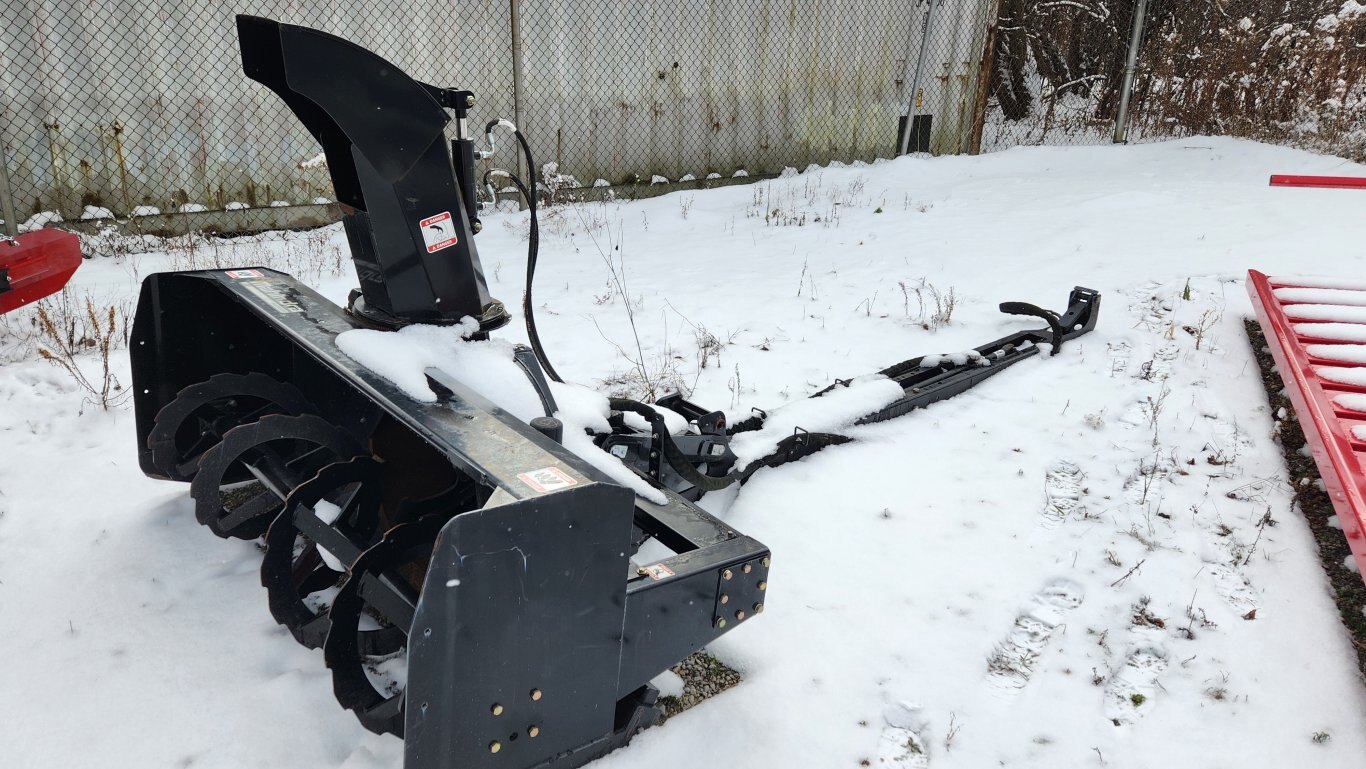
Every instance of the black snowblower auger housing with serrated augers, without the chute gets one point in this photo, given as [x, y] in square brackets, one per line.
[499, 562]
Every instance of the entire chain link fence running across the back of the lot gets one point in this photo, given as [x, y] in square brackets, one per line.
[140, 109]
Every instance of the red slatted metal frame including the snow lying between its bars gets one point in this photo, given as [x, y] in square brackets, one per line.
[1316, 330]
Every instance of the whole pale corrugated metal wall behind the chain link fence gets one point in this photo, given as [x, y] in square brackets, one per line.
[124, 103]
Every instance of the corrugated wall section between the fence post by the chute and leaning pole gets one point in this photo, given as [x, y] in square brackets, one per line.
[621, 91]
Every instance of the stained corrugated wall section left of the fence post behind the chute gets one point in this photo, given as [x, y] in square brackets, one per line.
[128, 103]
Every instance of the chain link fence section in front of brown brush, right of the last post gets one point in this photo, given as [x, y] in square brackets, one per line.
[1275, 72]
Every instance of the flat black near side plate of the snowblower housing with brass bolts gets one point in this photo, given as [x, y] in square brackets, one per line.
[521, 619]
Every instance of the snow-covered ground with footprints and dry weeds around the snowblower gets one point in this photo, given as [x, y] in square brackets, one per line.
[1088, 561]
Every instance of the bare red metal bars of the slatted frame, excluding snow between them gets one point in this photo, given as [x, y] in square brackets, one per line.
[1328, 427]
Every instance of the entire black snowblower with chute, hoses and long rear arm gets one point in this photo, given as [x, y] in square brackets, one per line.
[490, 554]
